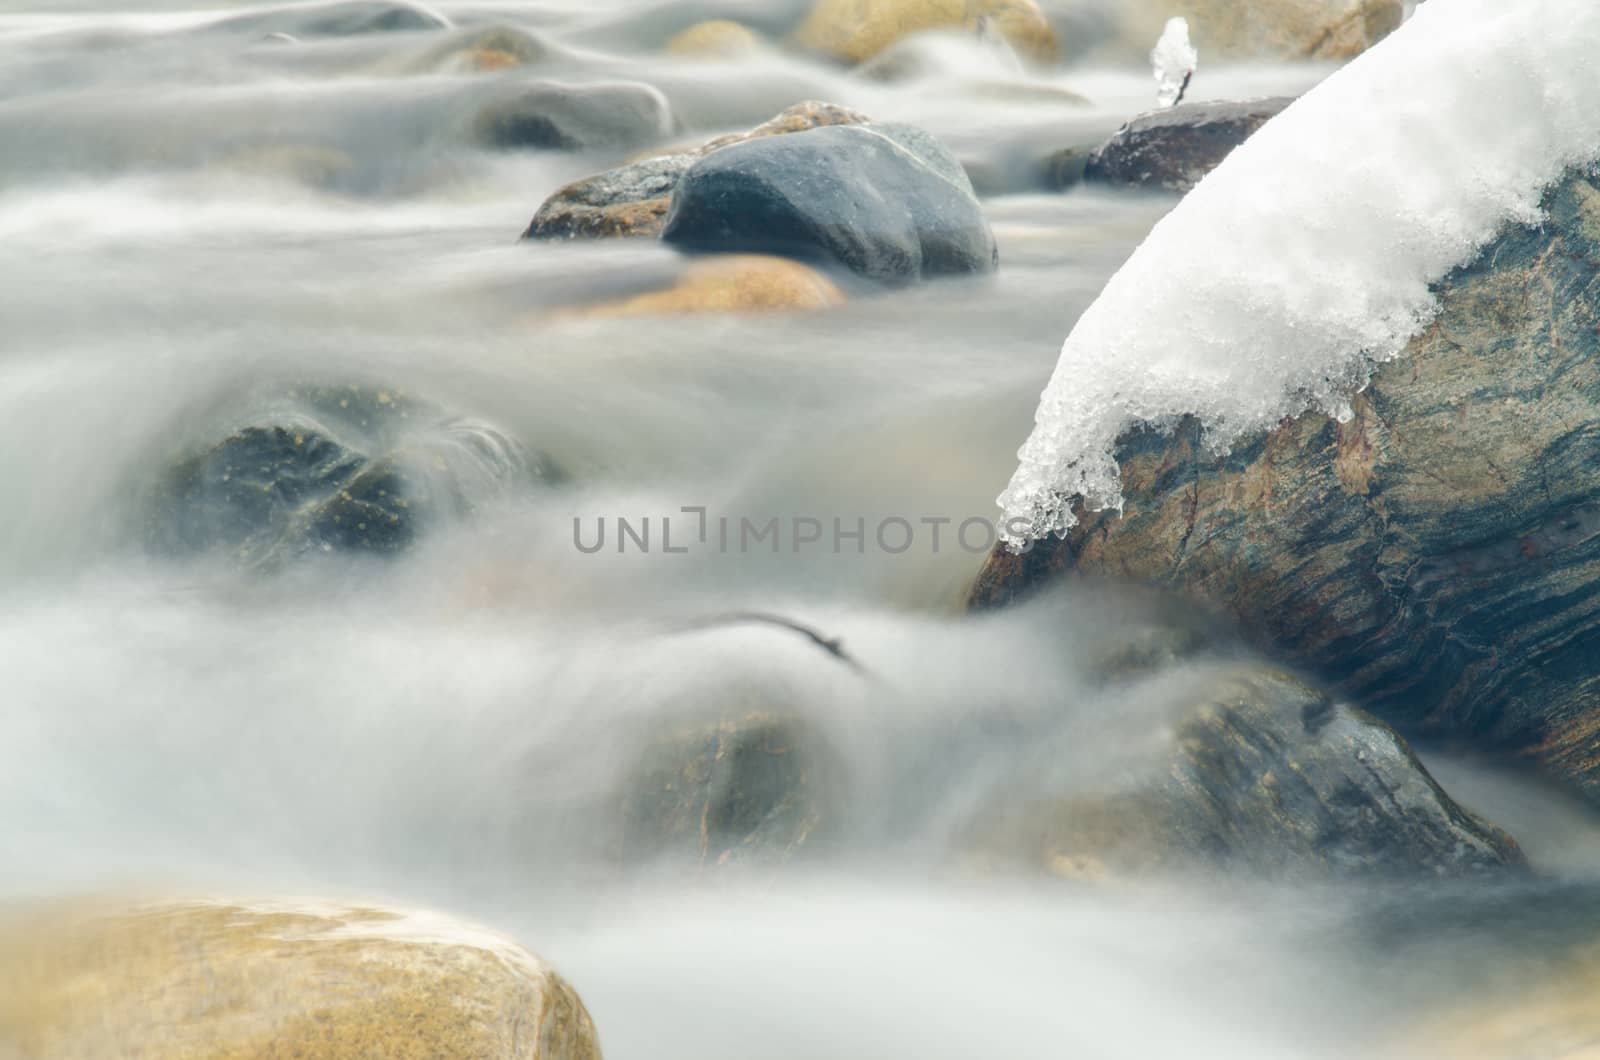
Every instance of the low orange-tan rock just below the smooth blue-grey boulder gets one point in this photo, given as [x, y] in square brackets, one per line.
[732, 284]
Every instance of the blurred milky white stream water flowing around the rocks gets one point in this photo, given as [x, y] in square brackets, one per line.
[196, 215]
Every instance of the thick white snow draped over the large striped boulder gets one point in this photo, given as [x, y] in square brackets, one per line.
[1310, 255]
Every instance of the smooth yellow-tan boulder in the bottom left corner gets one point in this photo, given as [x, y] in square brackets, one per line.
[178, 981]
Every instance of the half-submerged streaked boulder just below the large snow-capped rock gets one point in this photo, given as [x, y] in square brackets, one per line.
[1234, 768]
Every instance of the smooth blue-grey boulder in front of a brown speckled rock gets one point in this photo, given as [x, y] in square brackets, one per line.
[887, 203]
